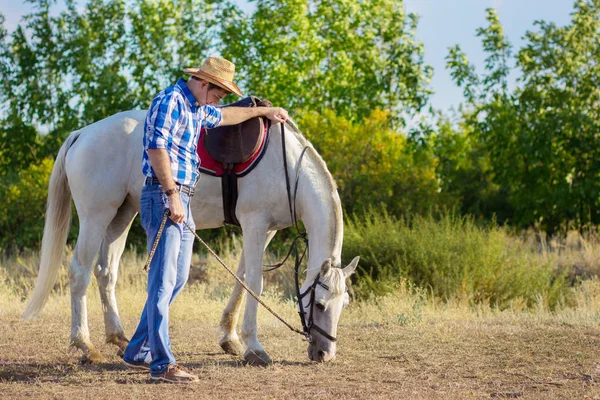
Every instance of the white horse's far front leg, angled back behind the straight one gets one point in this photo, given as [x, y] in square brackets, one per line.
[230, 342]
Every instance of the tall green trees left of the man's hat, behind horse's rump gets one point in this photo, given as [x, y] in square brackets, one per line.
[59, 73]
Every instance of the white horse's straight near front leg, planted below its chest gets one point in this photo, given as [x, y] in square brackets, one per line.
[255, 235]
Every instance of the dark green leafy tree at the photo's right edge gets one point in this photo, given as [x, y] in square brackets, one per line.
[542, 137]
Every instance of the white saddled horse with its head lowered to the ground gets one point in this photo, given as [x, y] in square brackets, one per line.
[99, 167]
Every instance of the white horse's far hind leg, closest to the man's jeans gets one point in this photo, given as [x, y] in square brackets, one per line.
[106, 272]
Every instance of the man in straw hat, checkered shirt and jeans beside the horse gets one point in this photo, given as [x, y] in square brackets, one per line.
[170, 164]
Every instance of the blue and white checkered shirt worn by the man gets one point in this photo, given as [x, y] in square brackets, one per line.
[173, 123]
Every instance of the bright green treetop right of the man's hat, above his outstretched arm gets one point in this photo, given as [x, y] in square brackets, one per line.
[341, 55]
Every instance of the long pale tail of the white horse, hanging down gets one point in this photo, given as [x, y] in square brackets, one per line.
[56, 229]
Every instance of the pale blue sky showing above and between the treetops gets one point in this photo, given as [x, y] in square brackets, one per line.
[442, 23]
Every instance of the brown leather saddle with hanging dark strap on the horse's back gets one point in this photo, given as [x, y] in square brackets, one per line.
[234, 145]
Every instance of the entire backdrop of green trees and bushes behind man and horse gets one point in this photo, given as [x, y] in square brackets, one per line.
[352, 72]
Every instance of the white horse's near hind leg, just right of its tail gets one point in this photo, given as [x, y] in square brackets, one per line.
[80, 271]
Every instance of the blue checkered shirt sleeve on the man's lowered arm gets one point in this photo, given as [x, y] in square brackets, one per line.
[163, 121]
